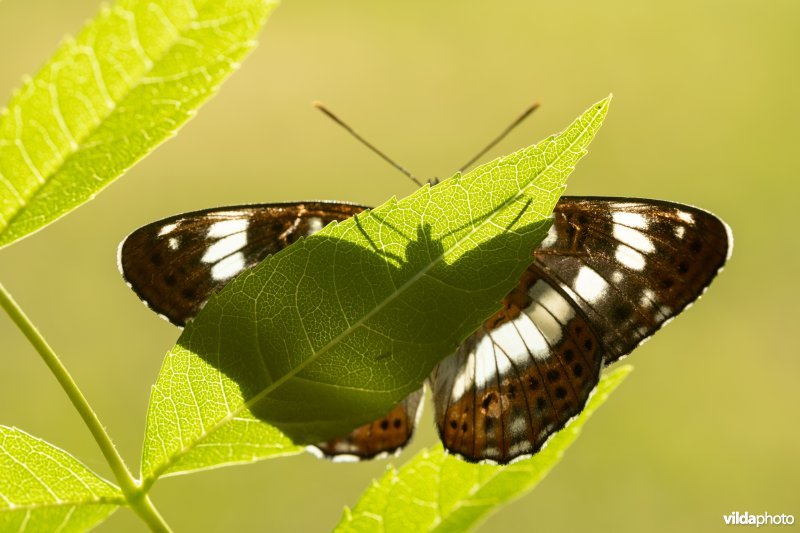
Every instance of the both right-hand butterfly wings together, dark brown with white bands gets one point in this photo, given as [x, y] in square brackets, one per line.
[611, 272]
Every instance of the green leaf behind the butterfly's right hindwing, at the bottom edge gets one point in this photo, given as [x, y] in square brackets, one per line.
[435, 491]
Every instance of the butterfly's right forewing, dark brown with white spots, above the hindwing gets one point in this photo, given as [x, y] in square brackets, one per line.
[631, 265]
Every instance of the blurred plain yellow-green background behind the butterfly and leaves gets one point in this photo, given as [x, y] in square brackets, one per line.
[705, 113]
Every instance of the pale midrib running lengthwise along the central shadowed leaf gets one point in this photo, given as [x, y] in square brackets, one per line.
[353, 327]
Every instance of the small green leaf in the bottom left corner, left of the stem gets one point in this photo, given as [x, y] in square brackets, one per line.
[43, 488]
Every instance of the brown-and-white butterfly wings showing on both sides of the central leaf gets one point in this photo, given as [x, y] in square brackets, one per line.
[608, 275]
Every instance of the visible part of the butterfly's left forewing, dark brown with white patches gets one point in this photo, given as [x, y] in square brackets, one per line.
[175, 264]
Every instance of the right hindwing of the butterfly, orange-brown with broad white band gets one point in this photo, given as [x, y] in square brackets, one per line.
[518, 379]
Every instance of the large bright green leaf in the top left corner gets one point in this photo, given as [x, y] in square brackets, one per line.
[133, 76]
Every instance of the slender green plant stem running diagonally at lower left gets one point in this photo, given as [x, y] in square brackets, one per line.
[138, 500]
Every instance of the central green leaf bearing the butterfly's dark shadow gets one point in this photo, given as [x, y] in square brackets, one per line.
[338, 328]
